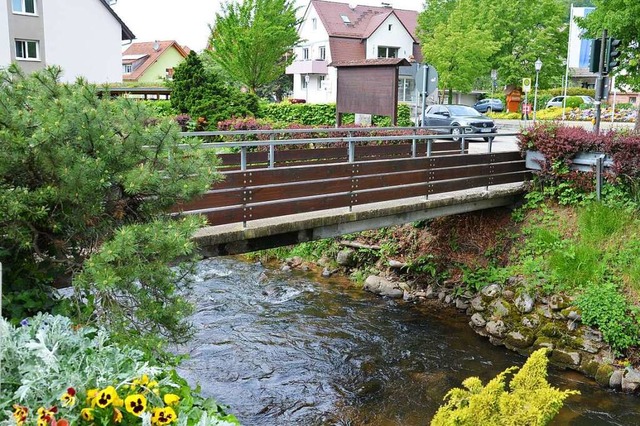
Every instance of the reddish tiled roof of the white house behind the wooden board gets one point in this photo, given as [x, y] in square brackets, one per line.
[363, 20]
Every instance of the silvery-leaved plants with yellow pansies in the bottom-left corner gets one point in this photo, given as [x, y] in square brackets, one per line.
[53, 372]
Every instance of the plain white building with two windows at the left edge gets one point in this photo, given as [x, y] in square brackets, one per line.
[84, 37]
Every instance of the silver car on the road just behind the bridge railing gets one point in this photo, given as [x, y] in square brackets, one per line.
[458, 120]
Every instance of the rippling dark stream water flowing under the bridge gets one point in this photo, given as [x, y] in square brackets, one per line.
[283, 348]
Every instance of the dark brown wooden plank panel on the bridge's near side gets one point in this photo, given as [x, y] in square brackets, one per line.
[263, 193]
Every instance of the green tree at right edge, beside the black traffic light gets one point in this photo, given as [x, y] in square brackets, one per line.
[621, 18]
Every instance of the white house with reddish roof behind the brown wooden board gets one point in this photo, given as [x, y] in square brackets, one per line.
[334, 31]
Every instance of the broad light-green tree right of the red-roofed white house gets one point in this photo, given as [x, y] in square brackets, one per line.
[511, 32]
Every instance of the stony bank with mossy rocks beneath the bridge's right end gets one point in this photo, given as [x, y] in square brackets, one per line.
[436, 261]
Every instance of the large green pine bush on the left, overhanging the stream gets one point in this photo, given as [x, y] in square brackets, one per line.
[89, 178]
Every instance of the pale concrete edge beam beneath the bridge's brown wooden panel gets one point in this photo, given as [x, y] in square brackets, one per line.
[269, 233]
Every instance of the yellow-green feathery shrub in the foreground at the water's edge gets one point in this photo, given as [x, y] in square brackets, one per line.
[530, 400]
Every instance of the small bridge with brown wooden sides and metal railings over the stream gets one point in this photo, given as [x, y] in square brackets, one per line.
[286, 187]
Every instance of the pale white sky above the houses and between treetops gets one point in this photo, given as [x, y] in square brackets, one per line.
[187, 21]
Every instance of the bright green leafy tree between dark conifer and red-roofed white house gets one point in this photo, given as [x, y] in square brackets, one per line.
[250, 39]
